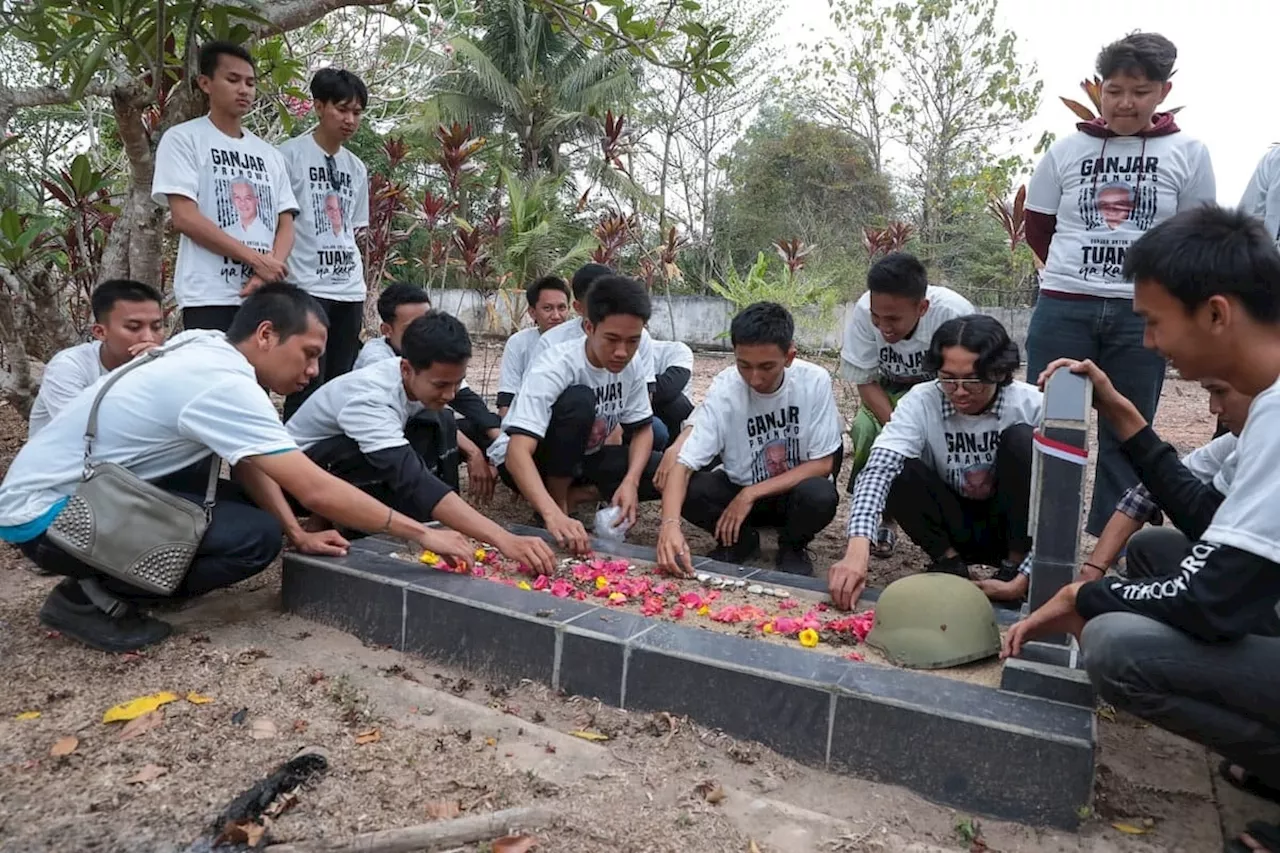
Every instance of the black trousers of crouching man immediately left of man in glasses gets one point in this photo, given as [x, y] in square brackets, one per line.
[799, 516]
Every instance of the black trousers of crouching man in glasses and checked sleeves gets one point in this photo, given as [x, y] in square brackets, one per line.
[985, 532]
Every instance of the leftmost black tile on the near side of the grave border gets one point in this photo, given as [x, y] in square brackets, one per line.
[364, 605]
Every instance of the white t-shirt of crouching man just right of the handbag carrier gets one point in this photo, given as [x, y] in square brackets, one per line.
[368, 405]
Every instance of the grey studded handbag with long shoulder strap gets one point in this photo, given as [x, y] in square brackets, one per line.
[124, 526]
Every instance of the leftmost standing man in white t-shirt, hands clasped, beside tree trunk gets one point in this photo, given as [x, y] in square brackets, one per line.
[228, 194]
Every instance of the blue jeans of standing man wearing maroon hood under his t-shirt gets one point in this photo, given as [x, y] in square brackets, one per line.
[1110, 335]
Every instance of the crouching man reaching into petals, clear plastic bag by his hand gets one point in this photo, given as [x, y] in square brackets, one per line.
[574, 396]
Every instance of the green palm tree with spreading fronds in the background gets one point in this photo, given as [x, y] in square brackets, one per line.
[527, 79]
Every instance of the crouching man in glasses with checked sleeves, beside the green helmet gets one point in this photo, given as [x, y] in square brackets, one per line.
[954, 466]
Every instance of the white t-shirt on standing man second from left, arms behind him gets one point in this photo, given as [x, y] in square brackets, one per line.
[333, 204]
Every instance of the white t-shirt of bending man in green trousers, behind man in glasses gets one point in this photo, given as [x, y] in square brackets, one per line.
[866, 357]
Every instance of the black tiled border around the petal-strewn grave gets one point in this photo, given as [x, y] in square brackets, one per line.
[1025, 754]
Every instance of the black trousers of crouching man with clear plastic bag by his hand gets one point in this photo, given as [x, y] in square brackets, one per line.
[563, 453]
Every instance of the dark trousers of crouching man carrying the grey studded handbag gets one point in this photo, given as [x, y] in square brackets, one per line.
[240, 542]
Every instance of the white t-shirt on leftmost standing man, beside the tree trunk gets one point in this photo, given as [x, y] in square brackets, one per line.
[239, 184]
